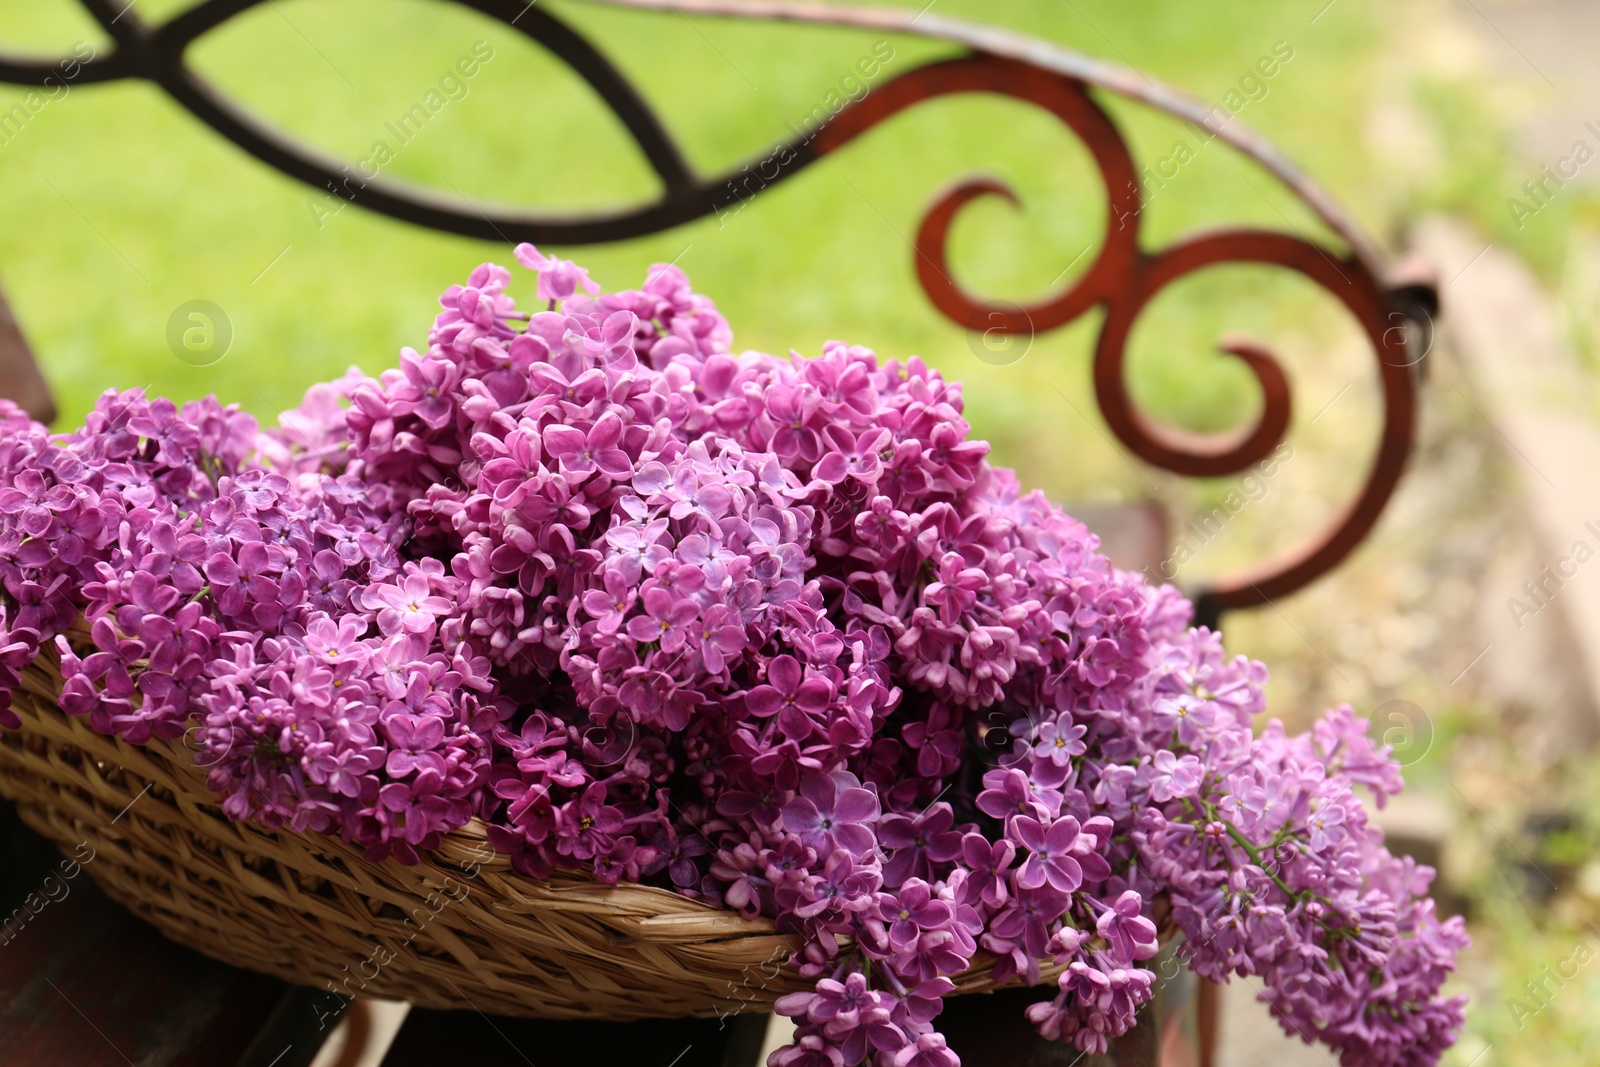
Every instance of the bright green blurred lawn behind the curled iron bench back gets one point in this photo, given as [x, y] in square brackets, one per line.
[121, 207]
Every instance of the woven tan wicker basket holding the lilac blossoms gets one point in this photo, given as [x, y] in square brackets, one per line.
[462, 930]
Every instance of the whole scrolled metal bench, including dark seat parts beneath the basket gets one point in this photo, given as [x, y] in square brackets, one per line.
[1396, 313]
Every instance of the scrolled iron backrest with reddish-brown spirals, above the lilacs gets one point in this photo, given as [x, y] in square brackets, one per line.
[1396, 316]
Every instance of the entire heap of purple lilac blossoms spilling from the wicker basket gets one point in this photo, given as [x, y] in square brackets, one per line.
[766, 631]
